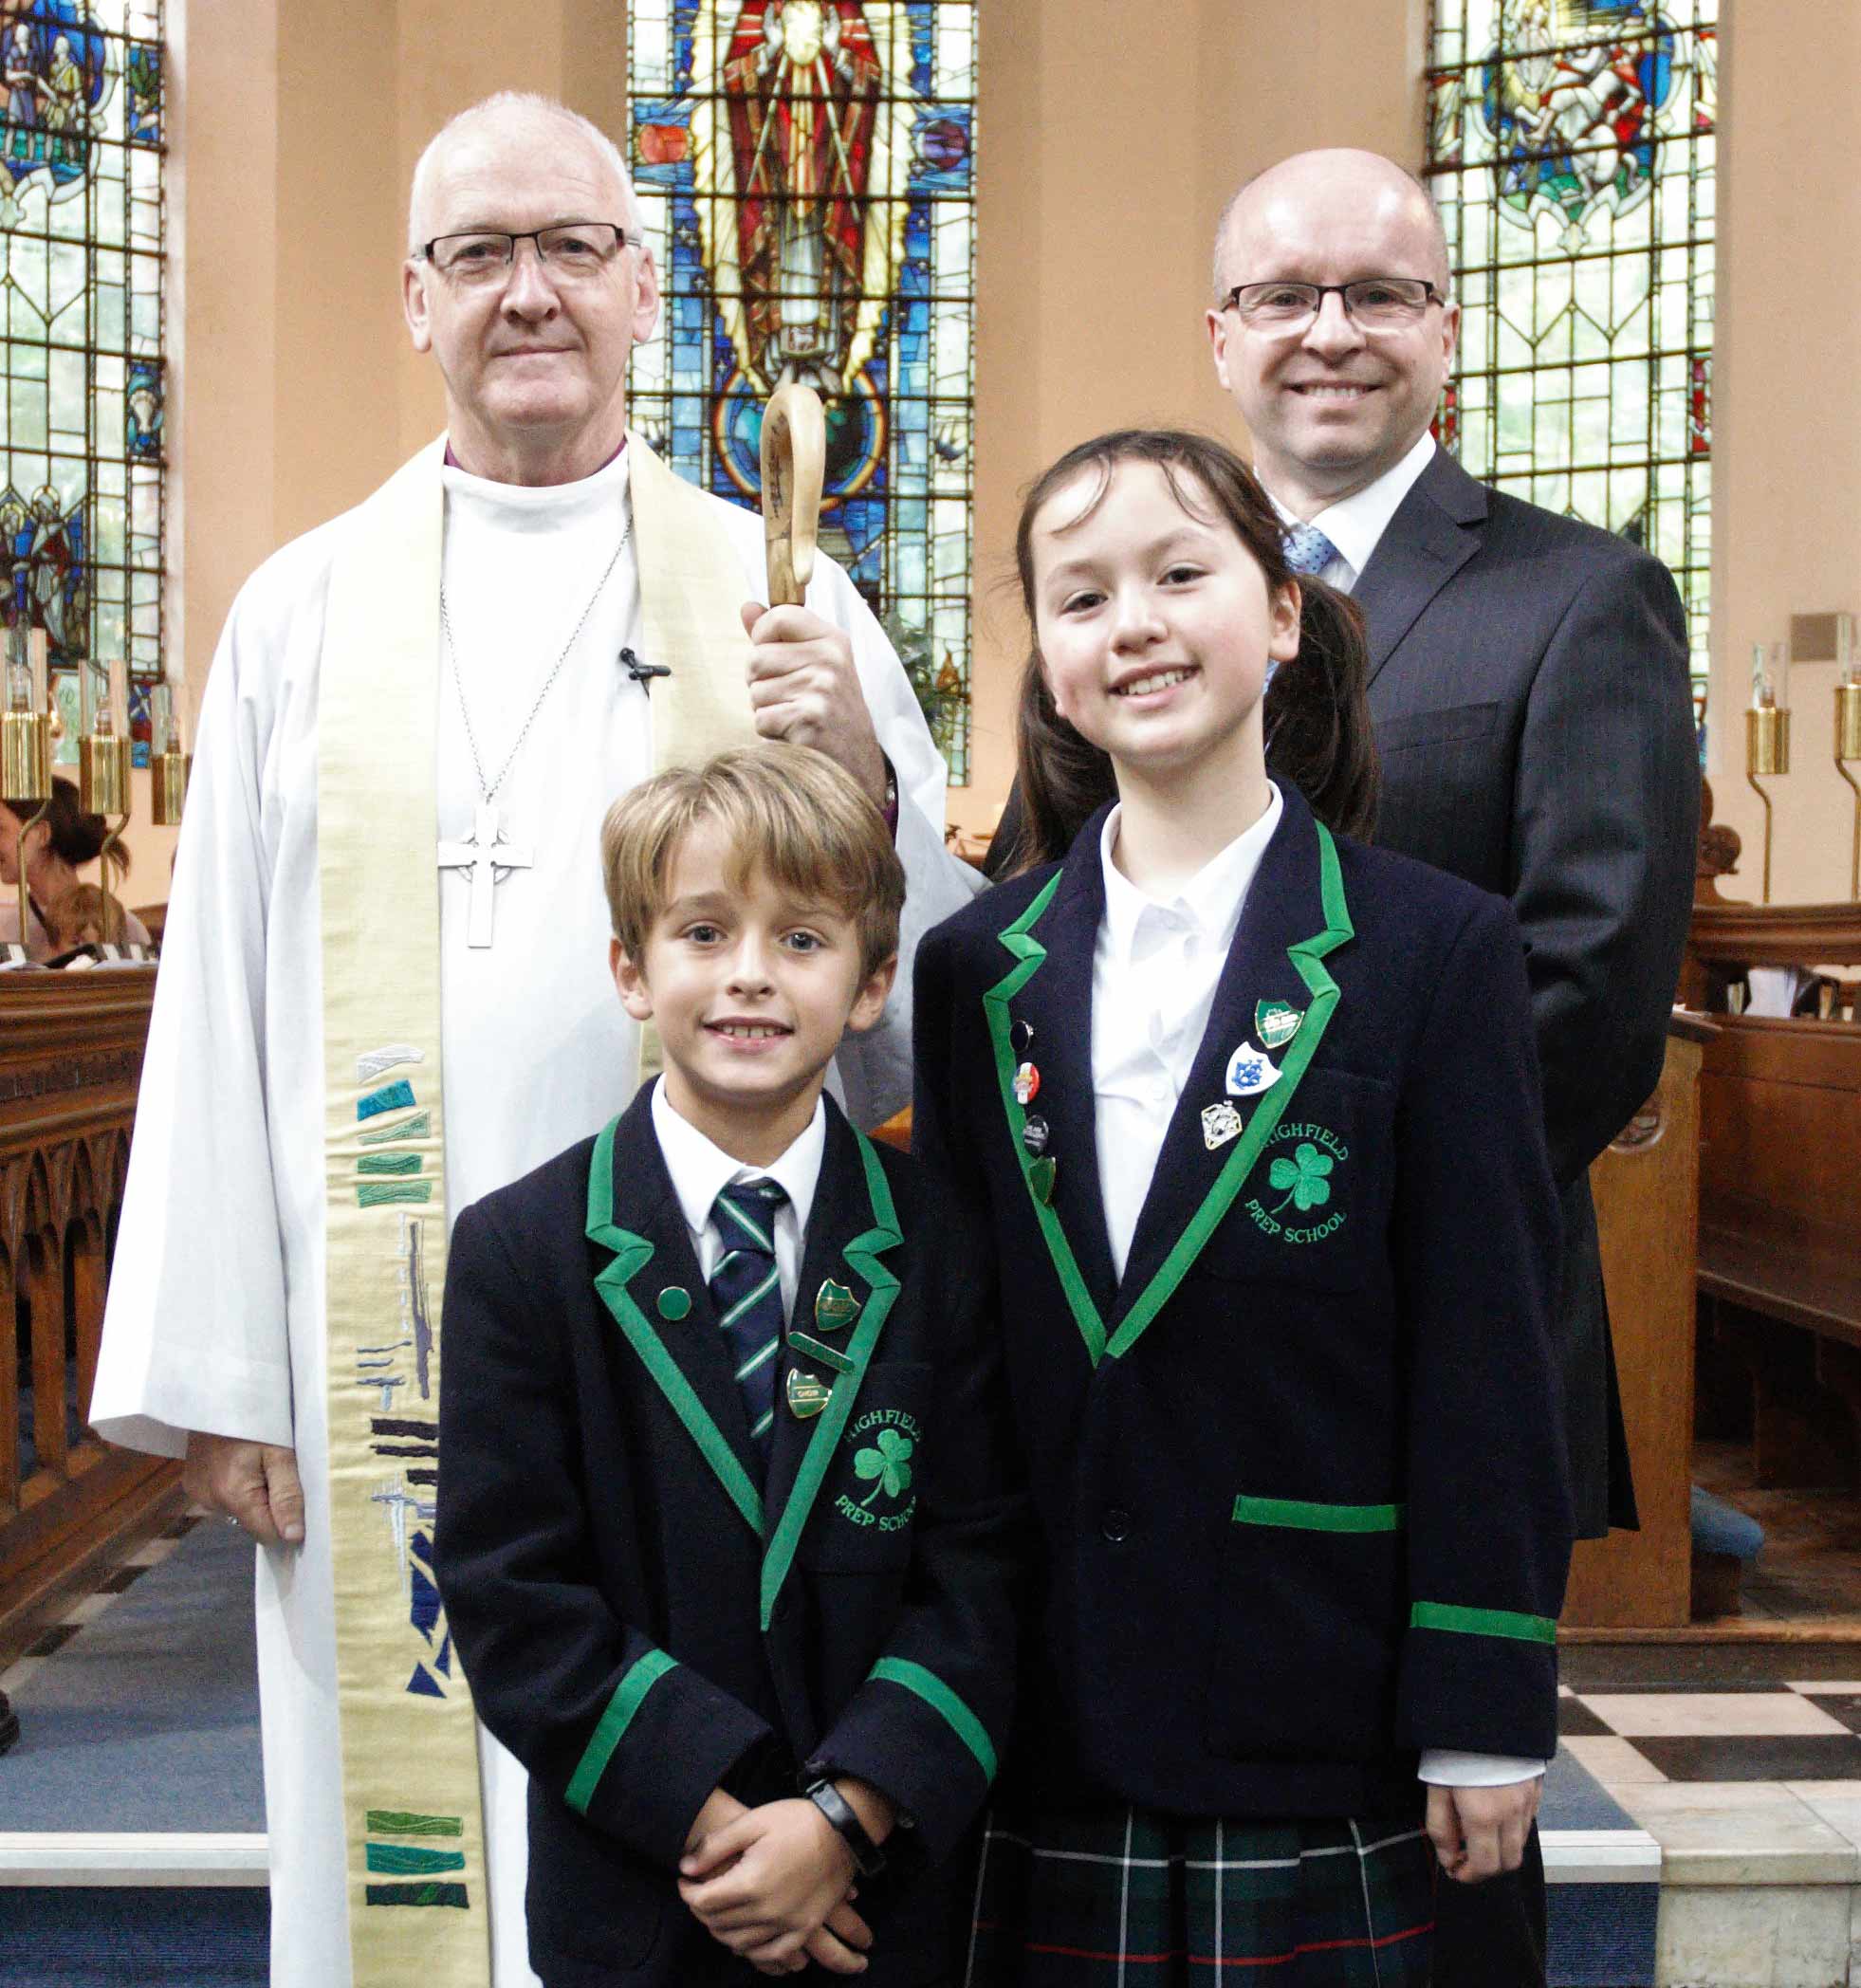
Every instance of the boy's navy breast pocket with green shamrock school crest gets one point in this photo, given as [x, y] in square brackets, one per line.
[868, 1502]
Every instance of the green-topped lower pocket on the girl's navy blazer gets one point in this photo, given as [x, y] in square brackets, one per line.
[1307, 1631]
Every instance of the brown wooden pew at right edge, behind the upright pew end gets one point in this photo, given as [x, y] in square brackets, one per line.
[1780, 1128]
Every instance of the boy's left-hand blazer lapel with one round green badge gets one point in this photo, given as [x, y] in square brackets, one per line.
[685, 1353]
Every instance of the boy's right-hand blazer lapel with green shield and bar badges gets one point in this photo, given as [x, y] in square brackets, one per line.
[850, 1228]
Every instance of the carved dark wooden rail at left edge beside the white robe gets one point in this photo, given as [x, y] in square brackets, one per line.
[71, 1063]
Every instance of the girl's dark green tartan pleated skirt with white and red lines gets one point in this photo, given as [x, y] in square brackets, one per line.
[1120, 1898]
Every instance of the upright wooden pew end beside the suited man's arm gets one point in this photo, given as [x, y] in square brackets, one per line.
[1647, 1190]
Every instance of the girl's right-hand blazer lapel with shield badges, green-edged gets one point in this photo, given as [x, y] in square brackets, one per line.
[1295, 917]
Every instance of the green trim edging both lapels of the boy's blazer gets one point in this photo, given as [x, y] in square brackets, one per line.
[633, 1253]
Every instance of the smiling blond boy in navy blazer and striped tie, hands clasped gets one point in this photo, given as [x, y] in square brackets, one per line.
[727, 1532]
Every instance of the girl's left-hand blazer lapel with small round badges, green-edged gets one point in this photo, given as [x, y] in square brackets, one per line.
[1049, 993]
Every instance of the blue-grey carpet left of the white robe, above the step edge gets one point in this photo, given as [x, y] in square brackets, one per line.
[148, 1719]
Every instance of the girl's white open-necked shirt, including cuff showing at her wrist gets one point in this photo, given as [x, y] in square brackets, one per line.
[1154, 975]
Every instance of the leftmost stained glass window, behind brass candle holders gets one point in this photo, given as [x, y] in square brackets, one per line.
[83, 277]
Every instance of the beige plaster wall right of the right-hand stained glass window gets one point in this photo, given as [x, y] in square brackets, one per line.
[1786, 434]
